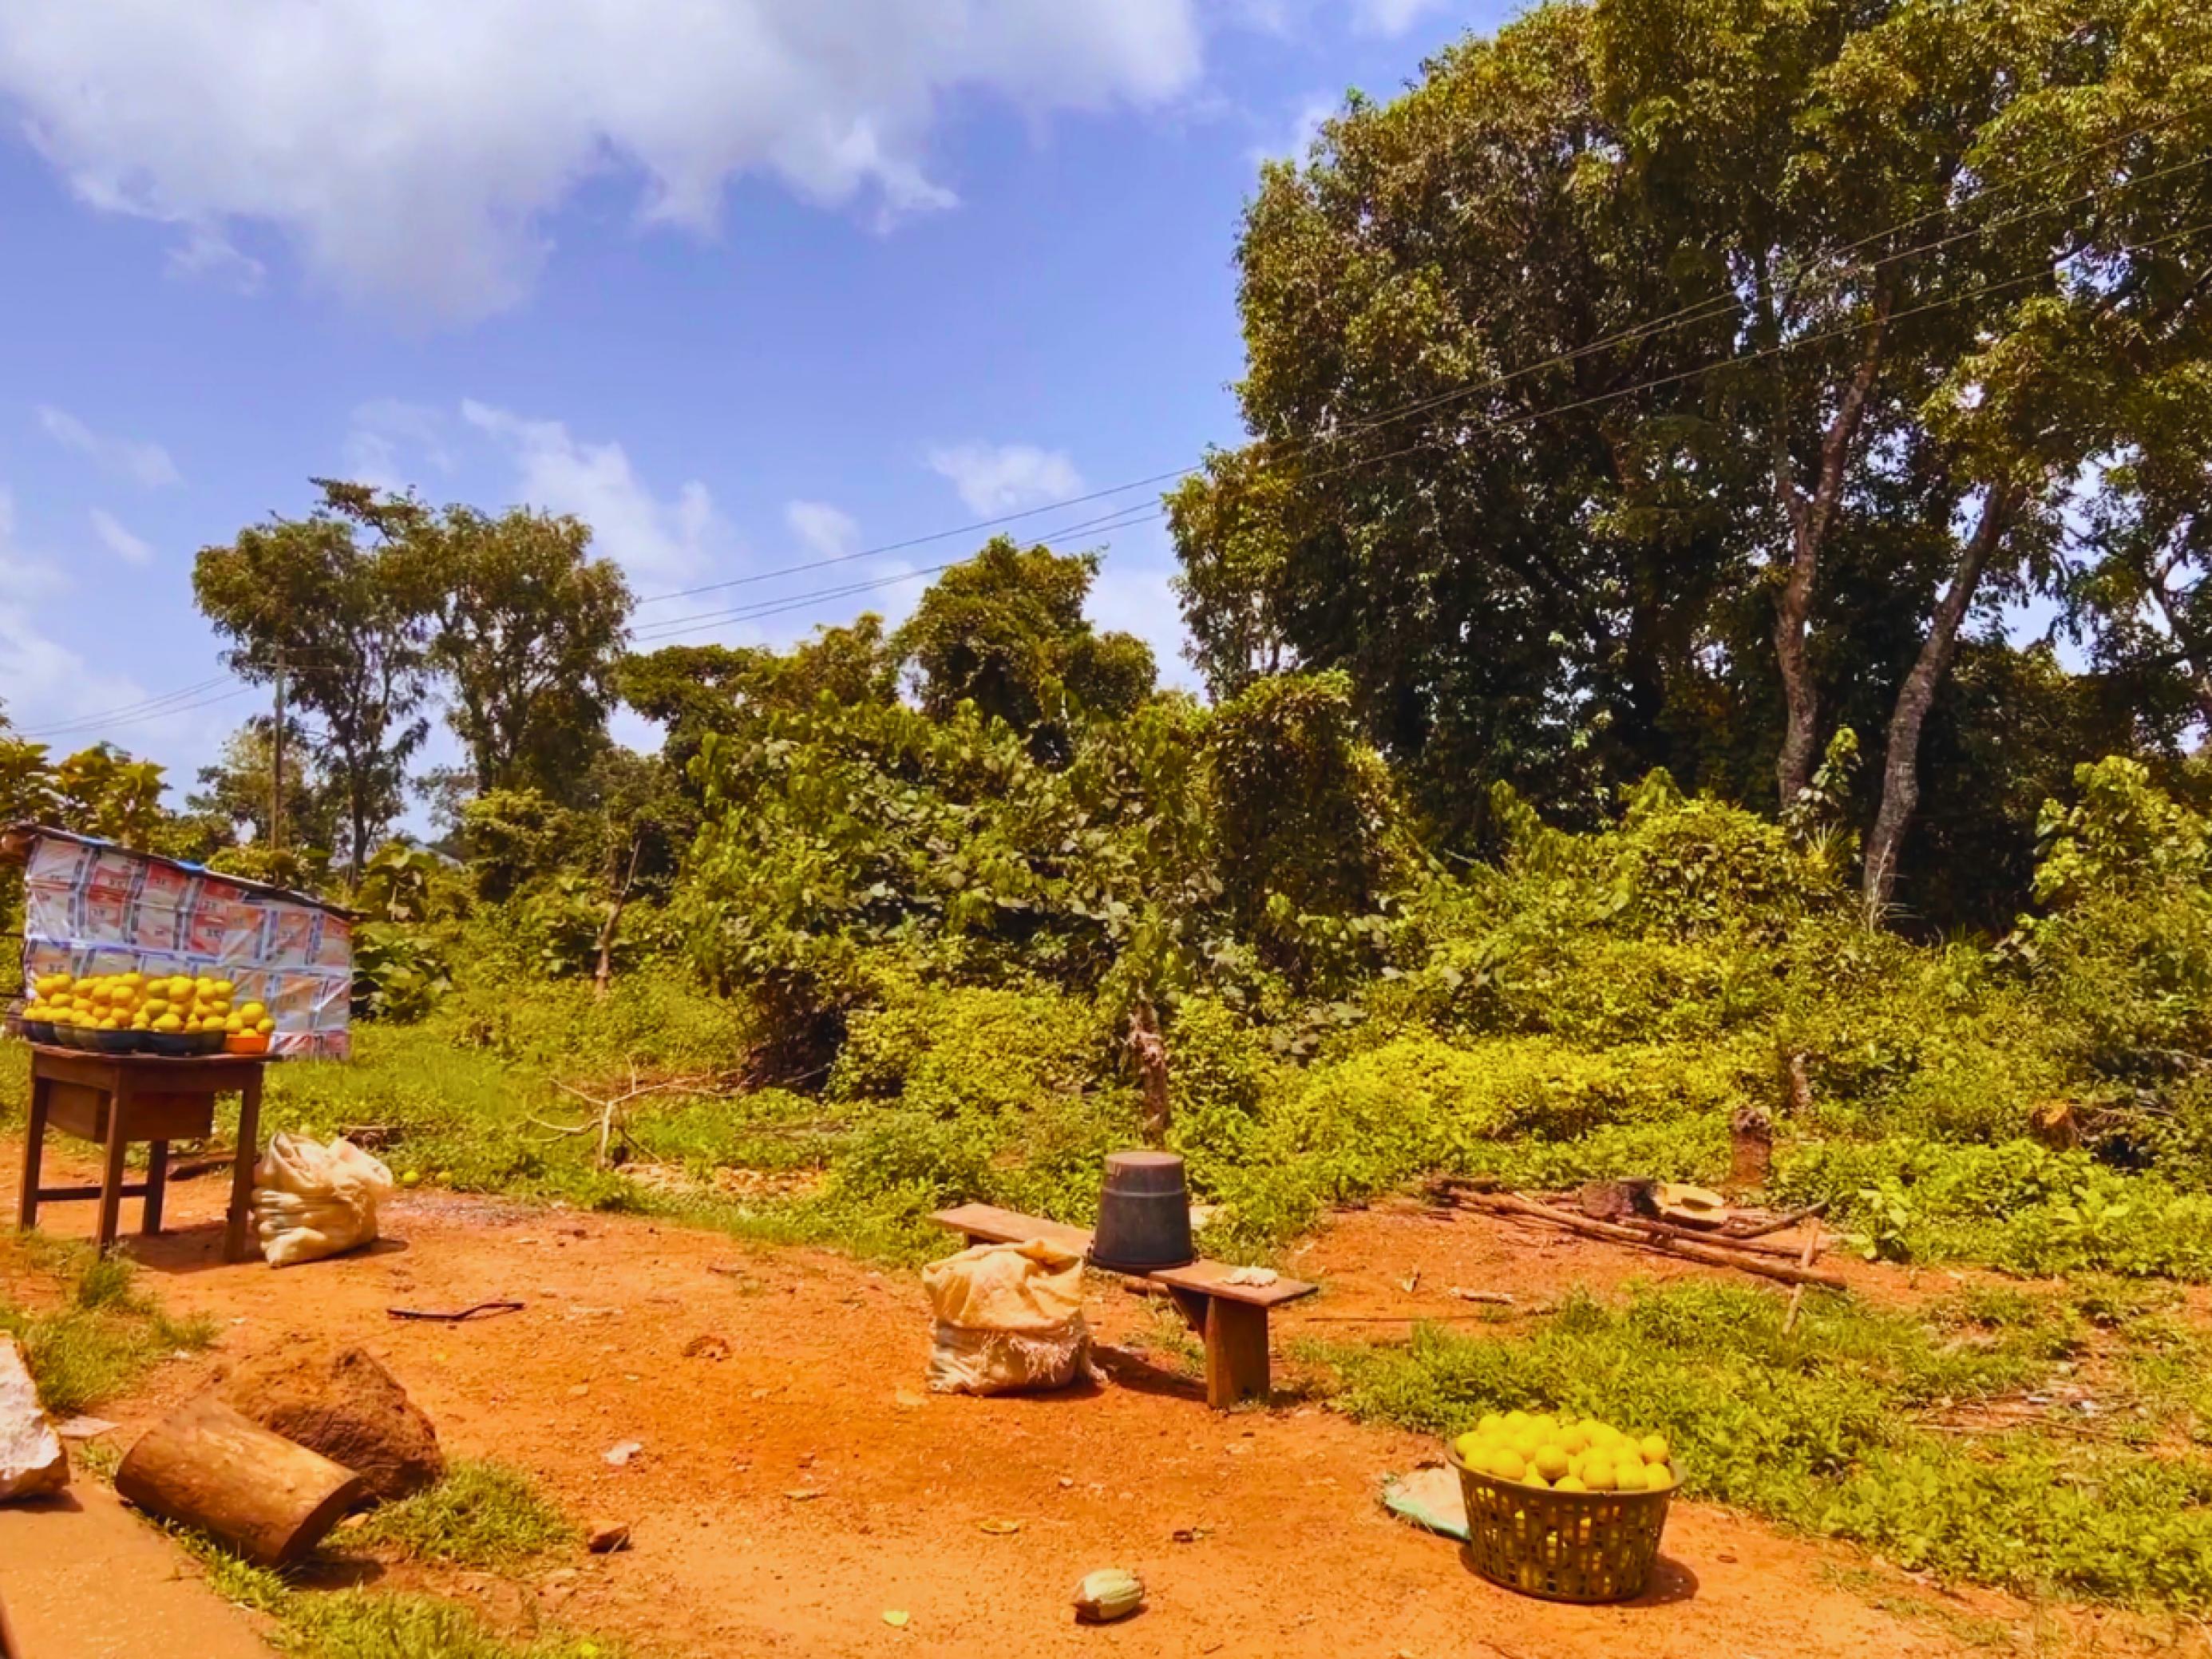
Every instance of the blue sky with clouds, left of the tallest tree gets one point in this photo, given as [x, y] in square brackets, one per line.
[740, 282]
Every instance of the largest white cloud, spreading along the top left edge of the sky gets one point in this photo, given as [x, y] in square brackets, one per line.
[415, 149]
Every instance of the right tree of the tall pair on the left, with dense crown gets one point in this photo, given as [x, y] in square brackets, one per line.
[525, 632]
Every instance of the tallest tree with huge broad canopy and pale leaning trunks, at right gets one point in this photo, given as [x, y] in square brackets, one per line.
[1611, 375]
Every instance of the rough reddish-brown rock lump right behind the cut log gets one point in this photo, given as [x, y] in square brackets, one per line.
[340, 1401]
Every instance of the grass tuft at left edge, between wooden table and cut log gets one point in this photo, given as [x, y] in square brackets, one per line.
[96, 1337]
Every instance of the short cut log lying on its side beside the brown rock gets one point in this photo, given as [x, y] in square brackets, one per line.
[255, 1492]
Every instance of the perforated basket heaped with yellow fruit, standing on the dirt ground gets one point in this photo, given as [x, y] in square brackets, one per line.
[1563, 1507]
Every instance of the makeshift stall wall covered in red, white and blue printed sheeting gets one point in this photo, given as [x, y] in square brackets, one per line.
[96, 908]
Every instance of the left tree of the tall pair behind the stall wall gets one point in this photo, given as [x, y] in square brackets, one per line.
[340, 601]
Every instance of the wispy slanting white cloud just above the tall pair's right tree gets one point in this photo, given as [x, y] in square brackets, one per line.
[656, 541]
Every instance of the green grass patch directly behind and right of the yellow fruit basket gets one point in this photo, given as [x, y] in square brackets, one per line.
[1819, 1430]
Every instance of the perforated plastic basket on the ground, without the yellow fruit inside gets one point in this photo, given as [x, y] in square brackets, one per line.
[1561, 1545]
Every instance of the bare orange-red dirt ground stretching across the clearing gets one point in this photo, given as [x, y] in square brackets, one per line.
[795, 1492]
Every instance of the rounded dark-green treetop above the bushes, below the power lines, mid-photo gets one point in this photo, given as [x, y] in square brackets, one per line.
[1008, 632]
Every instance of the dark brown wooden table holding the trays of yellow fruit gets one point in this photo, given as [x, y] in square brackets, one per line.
[116, 1100]
